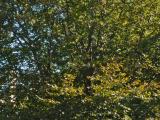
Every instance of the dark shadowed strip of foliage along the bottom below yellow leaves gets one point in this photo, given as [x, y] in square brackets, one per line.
[86, 108]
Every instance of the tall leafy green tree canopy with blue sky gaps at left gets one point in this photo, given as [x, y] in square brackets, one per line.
[41, 42]
